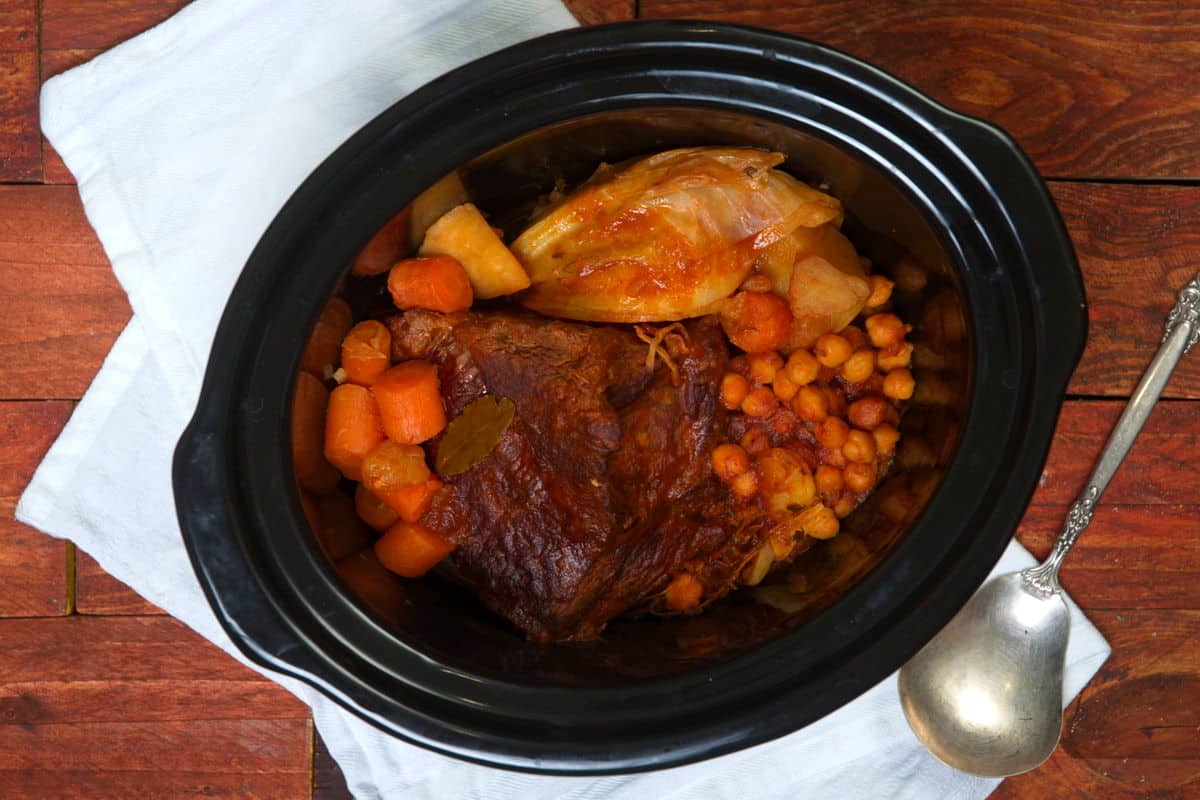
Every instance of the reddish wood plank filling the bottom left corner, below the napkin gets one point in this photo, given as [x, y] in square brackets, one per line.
[121, 707]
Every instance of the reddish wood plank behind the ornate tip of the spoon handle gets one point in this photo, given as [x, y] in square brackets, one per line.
[1138, 246]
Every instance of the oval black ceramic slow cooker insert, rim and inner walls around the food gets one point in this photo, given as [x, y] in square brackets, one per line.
[946, 204]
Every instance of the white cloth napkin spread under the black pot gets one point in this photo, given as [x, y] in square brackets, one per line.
[185, 142]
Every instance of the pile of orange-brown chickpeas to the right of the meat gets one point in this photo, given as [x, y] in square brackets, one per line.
[817, 429]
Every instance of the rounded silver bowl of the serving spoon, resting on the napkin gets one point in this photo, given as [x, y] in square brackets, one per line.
[986, 695]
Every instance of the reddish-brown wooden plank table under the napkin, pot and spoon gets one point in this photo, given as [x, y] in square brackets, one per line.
[104, 696]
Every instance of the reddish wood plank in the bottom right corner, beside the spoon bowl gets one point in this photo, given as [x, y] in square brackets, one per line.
[1135, 732]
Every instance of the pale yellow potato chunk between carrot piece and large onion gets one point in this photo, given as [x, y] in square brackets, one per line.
[464, 234]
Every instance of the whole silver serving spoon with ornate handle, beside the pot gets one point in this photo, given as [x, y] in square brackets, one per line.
[986, 694]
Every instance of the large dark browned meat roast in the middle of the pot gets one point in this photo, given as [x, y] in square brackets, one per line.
[601, 491]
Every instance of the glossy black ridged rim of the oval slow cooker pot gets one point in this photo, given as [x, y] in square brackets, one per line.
[285, 609]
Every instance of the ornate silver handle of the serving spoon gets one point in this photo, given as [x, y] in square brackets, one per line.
[1183, 332]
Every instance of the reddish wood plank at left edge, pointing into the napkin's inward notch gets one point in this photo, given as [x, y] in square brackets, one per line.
[63, 306]
